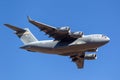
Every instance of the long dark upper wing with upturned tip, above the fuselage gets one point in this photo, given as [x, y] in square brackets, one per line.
[52, 31]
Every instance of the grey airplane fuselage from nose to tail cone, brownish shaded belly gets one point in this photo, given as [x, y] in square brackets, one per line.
[83, 44]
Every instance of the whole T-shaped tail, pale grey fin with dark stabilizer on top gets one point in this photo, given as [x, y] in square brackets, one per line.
[24, 34]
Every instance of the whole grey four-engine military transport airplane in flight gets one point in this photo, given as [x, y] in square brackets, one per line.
[65, 43]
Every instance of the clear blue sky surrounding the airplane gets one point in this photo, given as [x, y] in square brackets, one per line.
[89, 16]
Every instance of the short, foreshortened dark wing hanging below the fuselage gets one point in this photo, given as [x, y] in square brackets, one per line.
[78, 59]
